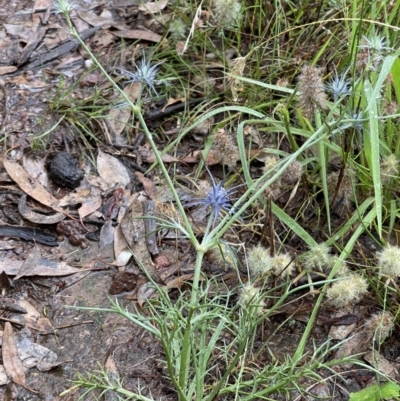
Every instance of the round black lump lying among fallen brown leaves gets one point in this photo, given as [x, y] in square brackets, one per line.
[65, 172]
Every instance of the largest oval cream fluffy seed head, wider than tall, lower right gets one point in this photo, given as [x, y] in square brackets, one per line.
[346, 291]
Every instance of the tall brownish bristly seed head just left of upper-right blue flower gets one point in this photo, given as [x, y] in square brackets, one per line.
[312, 96]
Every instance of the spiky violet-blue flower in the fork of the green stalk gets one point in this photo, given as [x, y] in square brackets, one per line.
[217, 198]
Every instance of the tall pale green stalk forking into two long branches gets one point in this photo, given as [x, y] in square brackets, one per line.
[210, 239]
